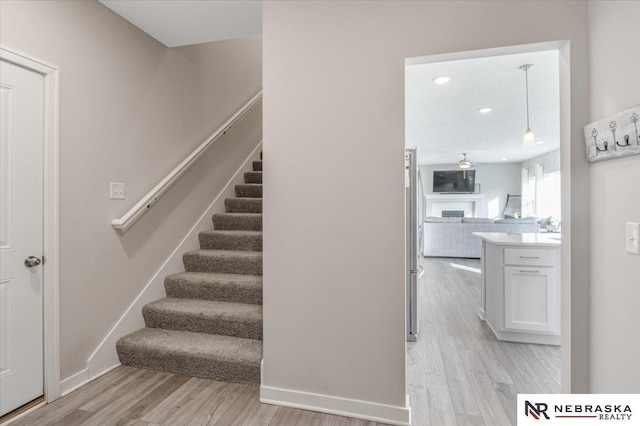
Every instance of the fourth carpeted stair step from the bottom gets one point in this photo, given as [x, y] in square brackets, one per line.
[224, 261]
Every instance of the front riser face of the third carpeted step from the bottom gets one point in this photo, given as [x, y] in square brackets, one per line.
[214, 291]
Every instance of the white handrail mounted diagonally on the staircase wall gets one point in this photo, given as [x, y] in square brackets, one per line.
[125, 223]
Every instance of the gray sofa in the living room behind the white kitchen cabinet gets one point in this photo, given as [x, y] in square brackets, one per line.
[453, 237]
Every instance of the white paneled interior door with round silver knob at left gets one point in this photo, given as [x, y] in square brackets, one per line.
[21, 235]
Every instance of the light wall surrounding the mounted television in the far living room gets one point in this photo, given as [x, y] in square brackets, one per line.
[496, 181]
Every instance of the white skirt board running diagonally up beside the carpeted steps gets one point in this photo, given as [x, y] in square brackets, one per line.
[105, 358]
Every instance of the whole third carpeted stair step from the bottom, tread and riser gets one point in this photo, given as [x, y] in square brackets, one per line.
[215, 286]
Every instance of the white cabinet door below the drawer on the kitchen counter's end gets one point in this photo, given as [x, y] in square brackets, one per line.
[530, 299]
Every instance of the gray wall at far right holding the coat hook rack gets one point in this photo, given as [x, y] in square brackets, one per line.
[615, 200]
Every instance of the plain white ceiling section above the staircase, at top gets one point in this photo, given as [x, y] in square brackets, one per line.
[182, 22]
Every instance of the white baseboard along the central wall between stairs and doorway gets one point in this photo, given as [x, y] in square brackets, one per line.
[365, 410]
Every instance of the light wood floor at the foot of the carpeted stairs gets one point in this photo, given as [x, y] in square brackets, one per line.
[129, 396]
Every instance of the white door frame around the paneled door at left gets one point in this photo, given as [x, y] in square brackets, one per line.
[51, 326]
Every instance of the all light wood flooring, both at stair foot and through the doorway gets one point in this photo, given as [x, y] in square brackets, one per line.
[459, 374]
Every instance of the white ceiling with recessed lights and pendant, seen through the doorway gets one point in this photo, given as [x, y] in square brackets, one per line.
[443, 120]
